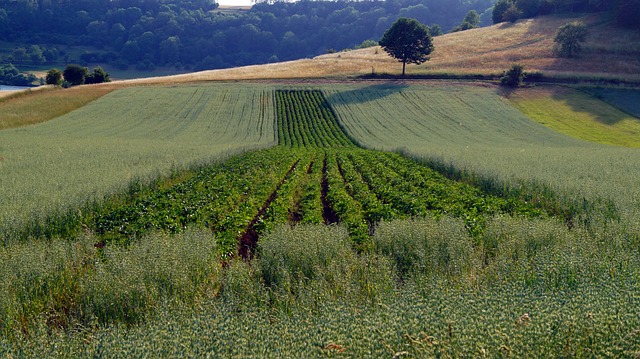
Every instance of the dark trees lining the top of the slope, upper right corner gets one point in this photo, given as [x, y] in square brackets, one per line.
[626, 12]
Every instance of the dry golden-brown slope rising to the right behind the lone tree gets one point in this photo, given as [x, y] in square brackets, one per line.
[610, 52]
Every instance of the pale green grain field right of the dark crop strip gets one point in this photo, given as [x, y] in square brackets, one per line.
[475, 130]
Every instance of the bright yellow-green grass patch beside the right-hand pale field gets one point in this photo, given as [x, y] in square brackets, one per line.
[579, 115]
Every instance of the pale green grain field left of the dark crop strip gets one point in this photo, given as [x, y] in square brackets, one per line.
[130, 134]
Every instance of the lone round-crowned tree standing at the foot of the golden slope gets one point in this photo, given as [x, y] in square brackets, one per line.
[409, 41]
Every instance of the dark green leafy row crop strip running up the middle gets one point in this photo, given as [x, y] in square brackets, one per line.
[316, 175]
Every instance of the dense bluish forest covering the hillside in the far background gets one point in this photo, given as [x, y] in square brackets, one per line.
[197, 35]
